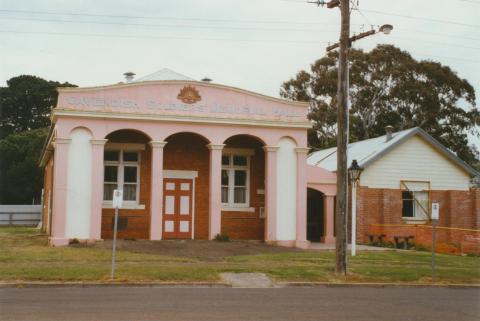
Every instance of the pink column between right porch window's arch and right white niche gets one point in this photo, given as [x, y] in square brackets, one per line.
[271, 193]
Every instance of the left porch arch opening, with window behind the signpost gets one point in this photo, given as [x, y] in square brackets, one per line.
[127, 166]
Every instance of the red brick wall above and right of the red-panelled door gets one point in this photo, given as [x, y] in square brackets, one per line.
[187, 151]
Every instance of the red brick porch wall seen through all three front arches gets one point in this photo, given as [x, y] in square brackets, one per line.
[186, 151]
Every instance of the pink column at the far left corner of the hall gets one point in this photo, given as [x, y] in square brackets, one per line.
[60, 168]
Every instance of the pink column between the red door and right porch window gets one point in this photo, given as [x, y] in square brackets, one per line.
[215, 196]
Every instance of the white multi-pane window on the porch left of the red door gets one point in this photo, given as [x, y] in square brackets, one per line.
[121, 171]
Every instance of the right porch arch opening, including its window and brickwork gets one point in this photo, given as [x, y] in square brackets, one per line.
[243, 188]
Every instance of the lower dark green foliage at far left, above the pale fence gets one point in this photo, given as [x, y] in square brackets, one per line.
[20, 176]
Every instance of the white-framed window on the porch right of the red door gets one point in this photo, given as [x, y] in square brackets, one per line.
[236, 177]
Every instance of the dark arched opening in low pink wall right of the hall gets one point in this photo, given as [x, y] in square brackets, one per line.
[315, 215]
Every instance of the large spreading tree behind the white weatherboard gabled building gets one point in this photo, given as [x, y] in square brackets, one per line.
[389, 87]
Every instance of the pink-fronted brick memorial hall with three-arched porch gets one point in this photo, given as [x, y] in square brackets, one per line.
[194, 159]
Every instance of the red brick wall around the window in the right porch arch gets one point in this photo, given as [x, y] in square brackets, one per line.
[248, 225]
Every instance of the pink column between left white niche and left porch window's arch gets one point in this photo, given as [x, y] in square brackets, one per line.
[97, 188]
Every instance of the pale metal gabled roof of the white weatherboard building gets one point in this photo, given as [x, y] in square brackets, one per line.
[369, 150]
